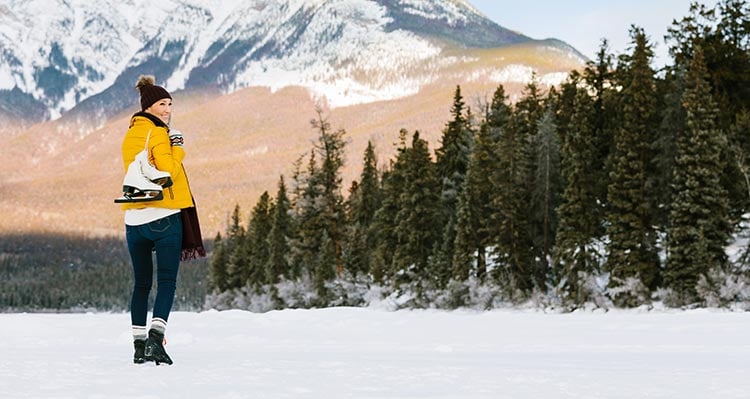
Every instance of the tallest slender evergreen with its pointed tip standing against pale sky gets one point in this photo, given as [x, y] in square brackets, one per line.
[632, 251]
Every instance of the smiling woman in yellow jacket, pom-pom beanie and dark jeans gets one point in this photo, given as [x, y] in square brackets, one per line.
[155, 225]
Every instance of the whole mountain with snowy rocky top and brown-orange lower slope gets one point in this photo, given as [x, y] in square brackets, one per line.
[246, 77]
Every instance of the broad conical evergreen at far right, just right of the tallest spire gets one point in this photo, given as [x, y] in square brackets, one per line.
[699, 223]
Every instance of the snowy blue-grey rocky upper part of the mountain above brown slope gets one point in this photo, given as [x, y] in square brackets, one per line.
[57, 55]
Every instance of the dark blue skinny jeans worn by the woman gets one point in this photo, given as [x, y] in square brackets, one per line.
[165, 237]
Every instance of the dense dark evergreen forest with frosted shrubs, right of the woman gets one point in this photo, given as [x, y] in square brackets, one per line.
[623, 186]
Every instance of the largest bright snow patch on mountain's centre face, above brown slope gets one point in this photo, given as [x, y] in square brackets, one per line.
[333, 69]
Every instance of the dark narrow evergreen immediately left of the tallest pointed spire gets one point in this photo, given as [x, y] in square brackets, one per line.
[578, 227]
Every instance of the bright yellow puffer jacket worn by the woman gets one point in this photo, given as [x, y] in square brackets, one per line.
[162, 155]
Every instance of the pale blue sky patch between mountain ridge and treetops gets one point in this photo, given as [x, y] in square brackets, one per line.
[583, 23]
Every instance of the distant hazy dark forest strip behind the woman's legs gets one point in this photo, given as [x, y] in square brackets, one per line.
[68, 272]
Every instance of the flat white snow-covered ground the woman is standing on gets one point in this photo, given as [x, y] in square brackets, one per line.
[371, 353]
